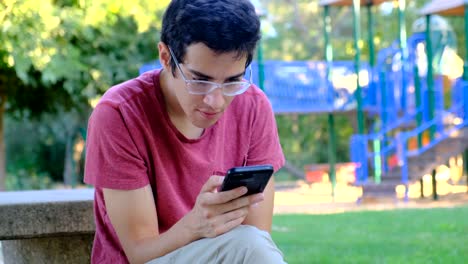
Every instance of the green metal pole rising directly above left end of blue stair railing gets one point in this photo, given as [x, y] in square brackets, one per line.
[357, 33]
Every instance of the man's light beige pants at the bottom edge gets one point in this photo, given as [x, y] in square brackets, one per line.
[244, 244]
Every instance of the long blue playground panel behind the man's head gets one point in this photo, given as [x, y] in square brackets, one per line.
[301, 86]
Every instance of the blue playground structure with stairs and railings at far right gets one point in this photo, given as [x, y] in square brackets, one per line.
[397, 155]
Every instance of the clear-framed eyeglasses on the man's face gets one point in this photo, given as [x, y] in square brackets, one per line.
[214, 85]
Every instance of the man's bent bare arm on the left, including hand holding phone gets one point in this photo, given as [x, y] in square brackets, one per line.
[133, 215]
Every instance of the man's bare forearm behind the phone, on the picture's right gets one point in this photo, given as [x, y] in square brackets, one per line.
[261, 214]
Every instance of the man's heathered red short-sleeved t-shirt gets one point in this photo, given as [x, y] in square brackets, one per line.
[132, 143]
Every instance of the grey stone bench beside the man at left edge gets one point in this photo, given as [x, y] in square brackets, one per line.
[52, 226]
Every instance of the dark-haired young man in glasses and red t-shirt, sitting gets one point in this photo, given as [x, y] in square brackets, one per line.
[158, 143]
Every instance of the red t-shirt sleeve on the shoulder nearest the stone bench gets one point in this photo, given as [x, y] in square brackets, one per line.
[112, 158]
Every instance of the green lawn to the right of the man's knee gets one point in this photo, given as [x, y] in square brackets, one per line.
[398, 236]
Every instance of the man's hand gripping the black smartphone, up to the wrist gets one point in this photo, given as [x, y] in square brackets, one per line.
[215, 213]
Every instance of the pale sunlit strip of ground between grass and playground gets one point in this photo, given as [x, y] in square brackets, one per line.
[317, 199]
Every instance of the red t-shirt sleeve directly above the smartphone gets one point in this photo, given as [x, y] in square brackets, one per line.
[265, 146]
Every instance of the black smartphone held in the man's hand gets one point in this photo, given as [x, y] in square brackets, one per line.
[255, 178]
